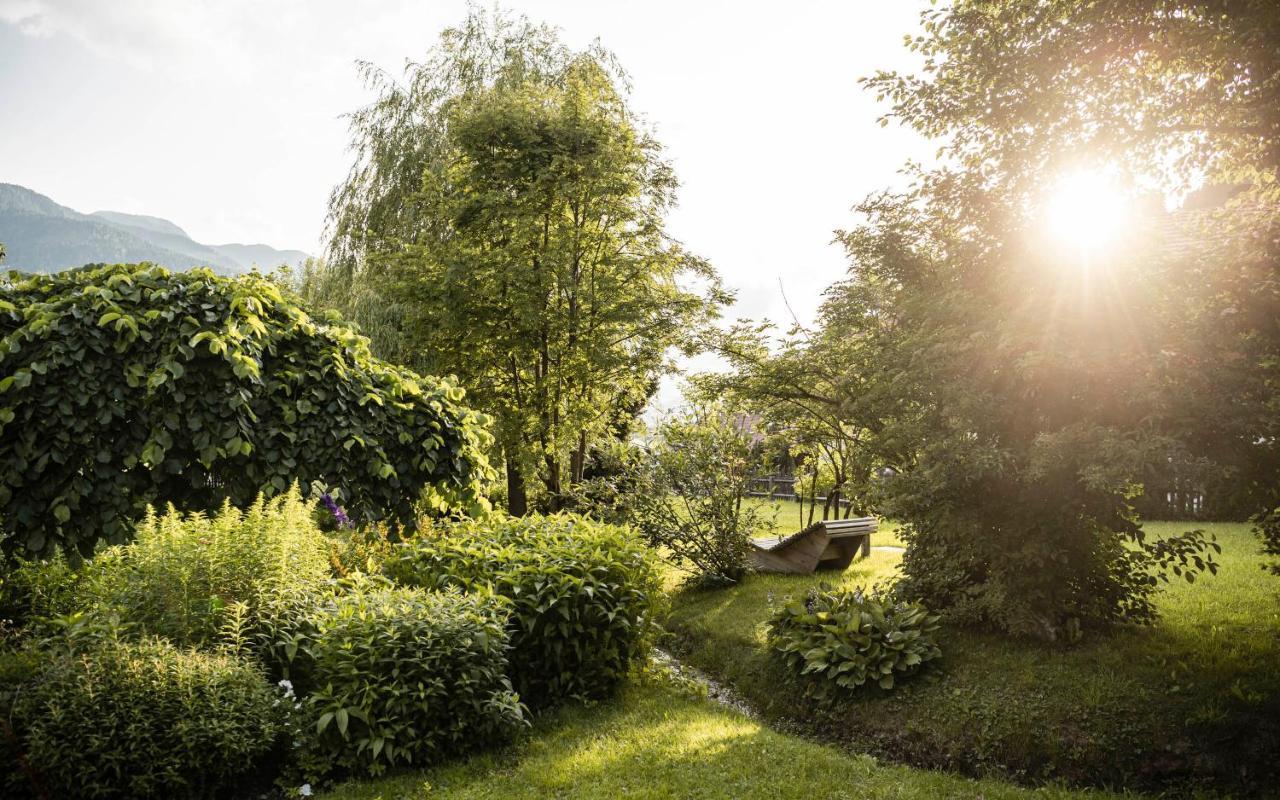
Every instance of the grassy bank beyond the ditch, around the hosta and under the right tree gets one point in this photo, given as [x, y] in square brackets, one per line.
[1195, 698]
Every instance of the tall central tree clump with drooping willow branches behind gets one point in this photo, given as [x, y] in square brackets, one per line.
[505, 222]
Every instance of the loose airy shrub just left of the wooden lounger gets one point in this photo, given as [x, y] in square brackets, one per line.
[689, 499]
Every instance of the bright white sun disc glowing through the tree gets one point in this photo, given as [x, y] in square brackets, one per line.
[1087, 211]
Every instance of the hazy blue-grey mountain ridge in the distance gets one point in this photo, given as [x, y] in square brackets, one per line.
[44, 237]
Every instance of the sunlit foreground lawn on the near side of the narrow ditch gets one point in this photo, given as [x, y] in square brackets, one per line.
[655, 743]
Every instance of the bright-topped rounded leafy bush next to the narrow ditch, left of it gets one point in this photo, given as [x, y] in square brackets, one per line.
[583, 595]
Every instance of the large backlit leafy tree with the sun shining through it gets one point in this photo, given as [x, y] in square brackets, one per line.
[1023, 391]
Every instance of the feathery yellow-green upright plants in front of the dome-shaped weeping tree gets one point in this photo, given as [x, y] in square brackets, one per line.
[191, 577]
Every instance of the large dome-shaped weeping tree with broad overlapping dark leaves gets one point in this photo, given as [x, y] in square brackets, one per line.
[131, 386]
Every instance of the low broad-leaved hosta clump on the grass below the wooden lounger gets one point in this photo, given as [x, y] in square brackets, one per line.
[839, 641]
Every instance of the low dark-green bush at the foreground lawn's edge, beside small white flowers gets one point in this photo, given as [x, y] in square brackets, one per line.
[396, 676]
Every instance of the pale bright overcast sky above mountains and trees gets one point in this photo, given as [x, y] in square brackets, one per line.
[226, 117]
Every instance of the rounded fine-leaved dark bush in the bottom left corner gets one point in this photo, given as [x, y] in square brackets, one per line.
[147, 720]
